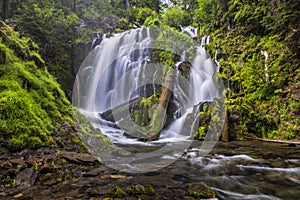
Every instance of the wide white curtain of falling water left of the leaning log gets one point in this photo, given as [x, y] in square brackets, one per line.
[111, 60]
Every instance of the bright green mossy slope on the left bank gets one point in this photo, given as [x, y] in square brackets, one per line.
[31, 101]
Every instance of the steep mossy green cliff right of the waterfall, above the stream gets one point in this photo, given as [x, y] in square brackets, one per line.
[260, 64]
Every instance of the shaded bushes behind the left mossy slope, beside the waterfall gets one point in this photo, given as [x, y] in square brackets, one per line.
[53, 27]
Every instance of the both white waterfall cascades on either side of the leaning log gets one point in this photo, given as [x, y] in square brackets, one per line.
[111, 75]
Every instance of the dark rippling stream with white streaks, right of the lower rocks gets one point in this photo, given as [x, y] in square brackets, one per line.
[247, 170]
